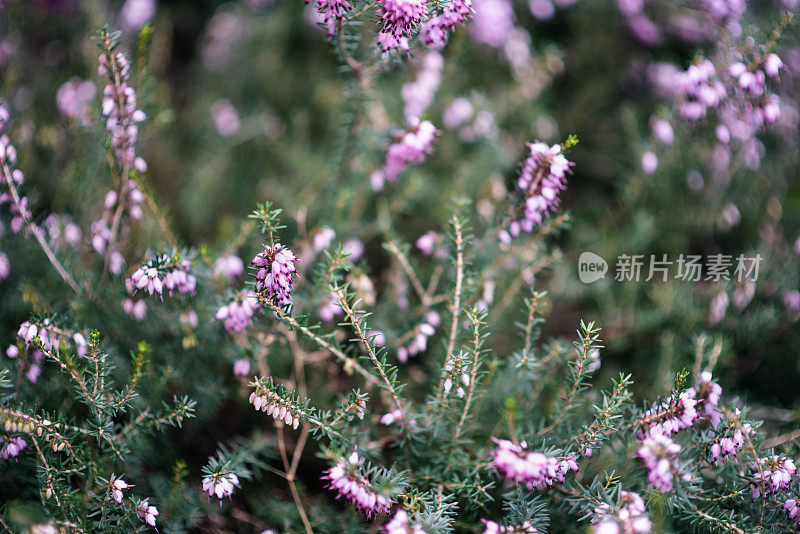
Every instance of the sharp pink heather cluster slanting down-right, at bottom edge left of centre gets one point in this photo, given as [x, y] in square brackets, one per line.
[351, 486]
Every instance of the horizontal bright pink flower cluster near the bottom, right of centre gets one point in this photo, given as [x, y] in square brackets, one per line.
[534, 469]
